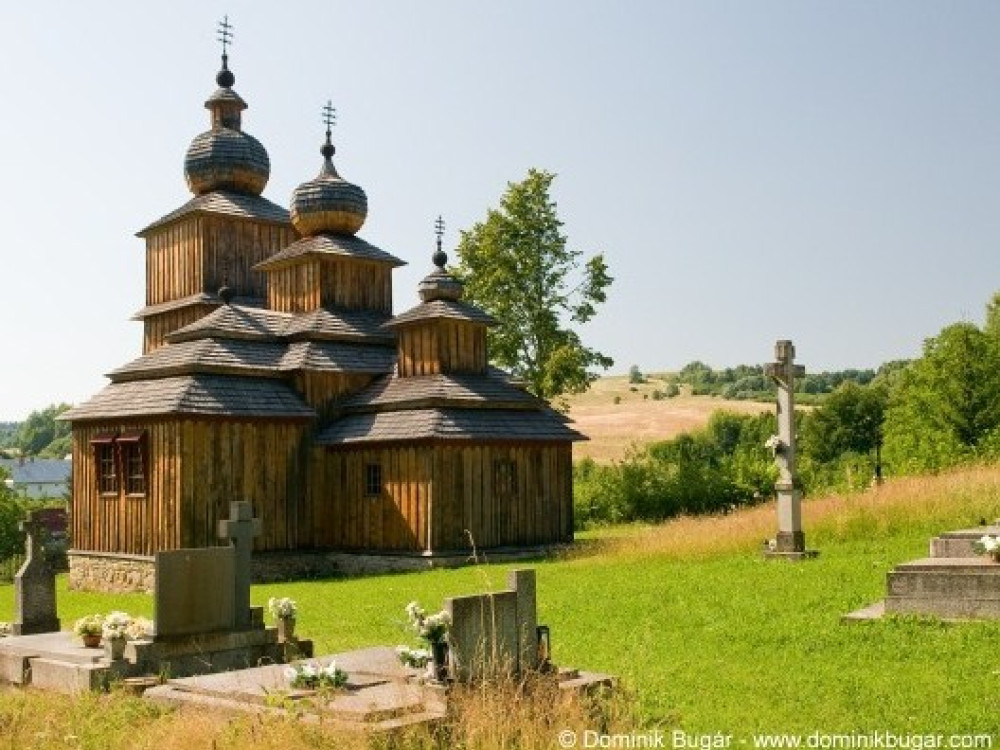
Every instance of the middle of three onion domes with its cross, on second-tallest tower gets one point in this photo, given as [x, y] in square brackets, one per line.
[328, 203]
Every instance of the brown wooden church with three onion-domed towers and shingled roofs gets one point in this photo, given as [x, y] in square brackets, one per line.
[274, 371]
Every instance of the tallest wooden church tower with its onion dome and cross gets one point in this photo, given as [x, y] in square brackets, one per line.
[216, 238]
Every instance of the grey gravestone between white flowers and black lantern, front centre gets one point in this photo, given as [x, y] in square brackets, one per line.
[494, 634]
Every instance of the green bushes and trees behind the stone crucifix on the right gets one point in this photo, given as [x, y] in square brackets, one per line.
[935, 412]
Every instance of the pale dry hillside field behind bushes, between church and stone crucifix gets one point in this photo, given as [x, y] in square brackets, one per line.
[614, 428]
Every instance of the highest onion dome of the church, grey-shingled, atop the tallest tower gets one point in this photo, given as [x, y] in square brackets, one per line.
[226, 158]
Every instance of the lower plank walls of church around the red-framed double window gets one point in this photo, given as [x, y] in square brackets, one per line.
[195, 468]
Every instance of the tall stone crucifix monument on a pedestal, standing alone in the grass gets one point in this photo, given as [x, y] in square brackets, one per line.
[790, 542]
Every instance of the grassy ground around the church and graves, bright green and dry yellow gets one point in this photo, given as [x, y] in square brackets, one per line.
[703, 633]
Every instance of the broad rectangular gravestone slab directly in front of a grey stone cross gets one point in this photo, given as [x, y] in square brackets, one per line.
[195, 591]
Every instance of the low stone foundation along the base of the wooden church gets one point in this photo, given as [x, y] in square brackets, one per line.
[101, 571]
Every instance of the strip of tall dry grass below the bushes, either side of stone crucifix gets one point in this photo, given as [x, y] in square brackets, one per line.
[963, 498]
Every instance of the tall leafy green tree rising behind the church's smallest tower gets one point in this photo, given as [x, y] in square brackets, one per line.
[516, 266]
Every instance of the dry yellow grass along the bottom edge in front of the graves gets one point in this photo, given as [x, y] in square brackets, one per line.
[524, 715]
